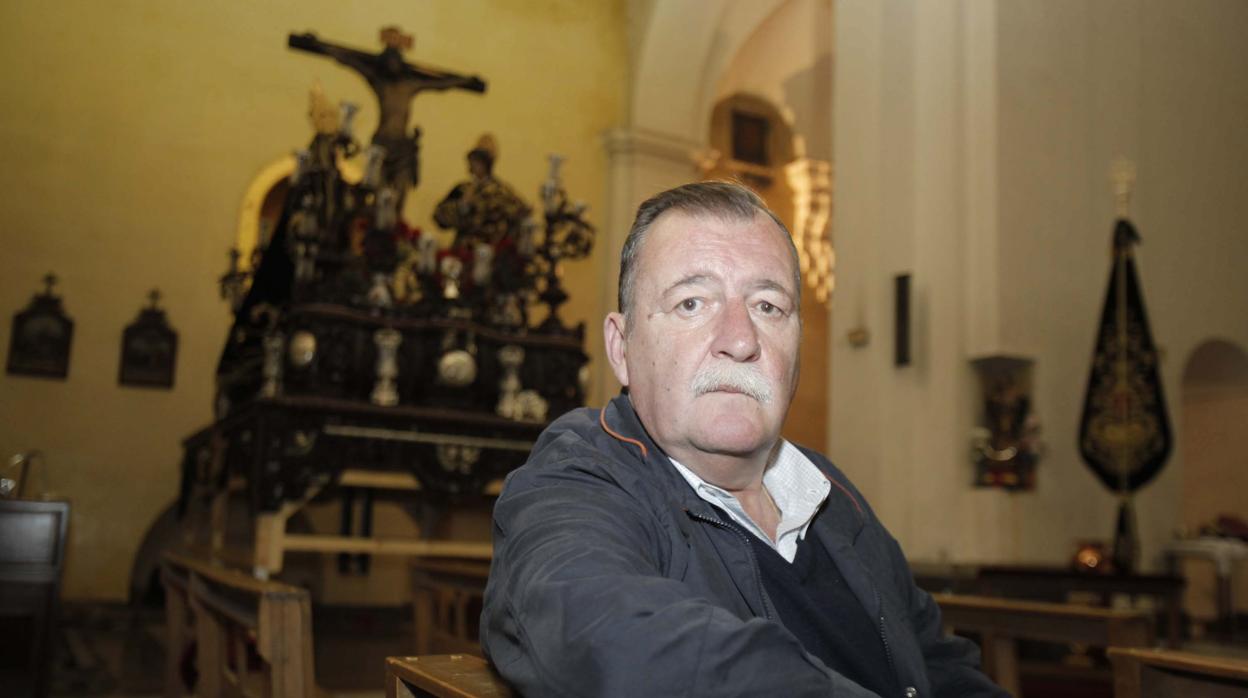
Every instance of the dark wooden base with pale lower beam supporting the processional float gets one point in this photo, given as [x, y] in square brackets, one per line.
[281, 454]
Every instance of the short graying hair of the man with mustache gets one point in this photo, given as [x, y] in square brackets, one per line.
[728, 202]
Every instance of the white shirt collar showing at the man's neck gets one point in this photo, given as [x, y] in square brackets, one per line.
[797, 486]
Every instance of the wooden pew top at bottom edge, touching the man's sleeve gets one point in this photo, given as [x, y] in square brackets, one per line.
[444, 676]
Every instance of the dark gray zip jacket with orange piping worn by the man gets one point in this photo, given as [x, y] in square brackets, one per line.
[612, 578]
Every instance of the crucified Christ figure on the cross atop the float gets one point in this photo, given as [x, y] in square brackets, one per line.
[396, 83]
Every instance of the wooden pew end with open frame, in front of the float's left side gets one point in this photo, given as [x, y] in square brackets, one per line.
[232, 611]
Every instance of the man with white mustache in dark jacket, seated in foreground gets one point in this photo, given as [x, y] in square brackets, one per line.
[672, 543]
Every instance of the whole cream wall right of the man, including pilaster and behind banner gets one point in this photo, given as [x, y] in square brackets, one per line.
[1073, 87]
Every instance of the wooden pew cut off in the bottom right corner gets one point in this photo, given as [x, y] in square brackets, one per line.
[1163, 674]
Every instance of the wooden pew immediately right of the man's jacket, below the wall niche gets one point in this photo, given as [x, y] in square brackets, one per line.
[1003, 622]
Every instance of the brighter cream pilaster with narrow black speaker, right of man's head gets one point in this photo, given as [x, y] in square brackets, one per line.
[902, 433]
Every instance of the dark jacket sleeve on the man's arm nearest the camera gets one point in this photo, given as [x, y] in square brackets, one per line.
[578, 605]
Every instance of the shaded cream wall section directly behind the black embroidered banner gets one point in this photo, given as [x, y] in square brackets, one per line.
[1161, 84]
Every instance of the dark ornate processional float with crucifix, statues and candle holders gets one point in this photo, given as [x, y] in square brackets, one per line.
[365, 353]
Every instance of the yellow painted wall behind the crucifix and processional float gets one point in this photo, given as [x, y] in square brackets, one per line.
[130, 130]
